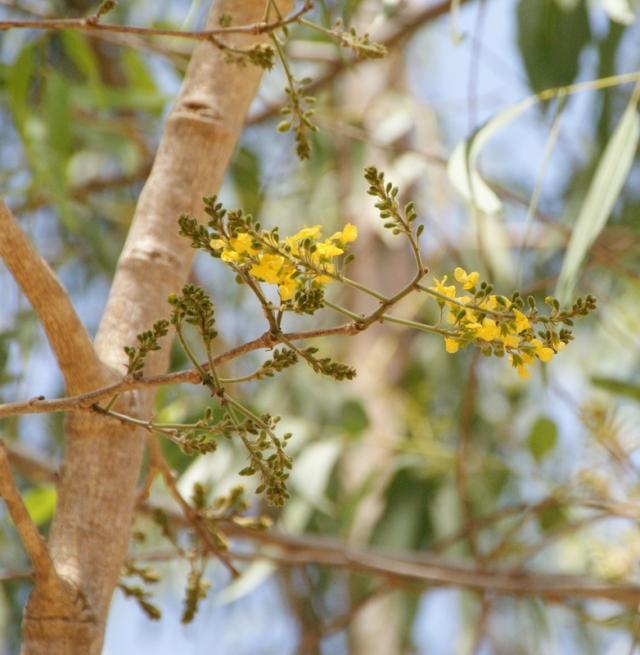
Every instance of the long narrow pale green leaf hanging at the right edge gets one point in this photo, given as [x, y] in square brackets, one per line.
[608, 180]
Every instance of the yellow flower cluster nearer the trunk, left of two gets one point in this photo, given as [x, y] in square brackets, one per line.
[280, 262]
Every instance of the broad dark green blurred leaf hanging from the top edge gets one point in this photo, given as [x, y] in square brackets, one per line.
[551, 38]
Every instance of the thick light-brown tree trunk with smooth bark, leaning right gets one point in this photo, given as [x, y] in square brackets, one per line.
[90, 531]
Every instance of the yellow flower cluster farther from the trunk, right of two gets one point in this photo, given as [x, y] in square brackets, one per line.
[492, 322]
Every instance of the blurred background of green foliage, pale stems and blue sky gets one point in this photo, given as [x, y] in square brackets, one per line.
[424, 451]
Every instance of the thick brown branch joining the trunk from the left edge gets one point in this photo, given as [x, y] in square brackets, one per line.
[67, 336]
